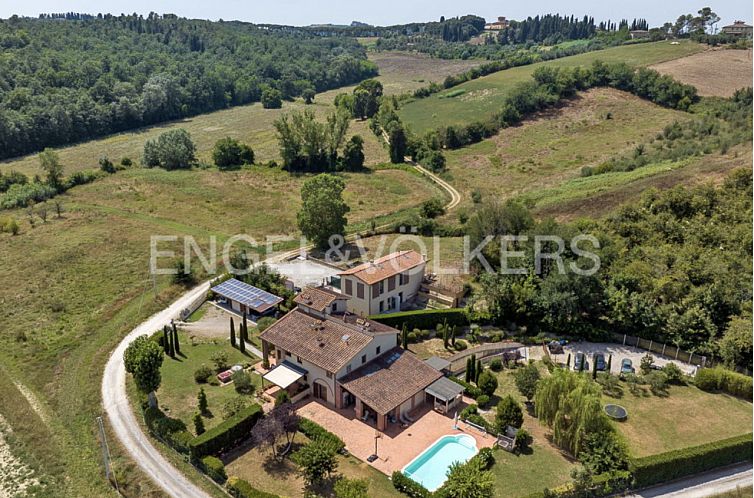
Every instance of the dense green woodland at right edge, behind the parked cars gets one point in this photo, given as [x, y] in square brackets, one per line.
[675, 267]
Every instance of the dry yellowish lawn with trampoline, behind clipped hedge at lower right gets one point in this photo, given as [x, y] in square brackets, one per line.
[686, 417]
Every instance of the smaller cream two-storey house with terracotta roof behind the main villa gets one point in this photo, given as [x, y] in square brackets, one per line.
[383, 285]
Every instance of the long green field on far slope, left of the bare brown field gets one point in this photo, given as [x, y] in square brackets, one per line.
[483, 96]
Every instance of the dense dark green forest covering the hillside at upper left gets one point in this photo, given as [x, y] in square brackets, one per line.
[69, 77]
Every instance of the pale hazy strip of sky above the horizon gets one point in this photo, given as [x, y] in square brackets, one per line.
[384, 12]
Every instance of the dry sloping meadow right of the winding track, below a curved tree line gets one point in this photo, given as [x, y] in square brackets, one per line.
[551, 149]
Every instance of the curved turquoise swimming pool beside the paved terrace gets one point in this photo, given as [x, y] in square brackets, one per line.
[431, 466]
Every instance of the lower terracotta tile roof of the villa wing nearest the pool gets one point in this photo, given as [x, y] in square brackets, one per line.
[391, 379]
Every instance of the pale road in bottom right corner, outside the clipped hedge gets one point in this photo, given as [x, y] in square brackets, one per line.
[703, 485]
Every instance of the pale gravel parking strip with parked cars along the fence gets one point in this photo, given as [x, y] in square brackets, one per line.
[618, 351]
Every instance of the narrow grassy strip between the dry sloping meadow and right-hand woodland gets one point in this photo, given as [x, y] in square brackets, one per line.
[597, 195]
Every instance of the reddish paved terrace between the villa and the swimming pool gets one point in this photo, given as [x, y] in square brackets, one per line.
[397, 446]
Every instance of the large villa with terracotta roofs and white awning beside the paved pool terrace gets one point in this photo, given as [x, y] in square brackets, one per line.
[351, 363]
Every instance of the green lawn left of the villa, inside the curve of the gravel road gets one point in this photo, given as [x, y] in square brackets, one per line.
[178, 392]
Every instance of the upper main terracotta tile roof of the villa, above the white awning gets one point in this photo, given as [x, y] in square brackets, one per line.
[328, 343]
